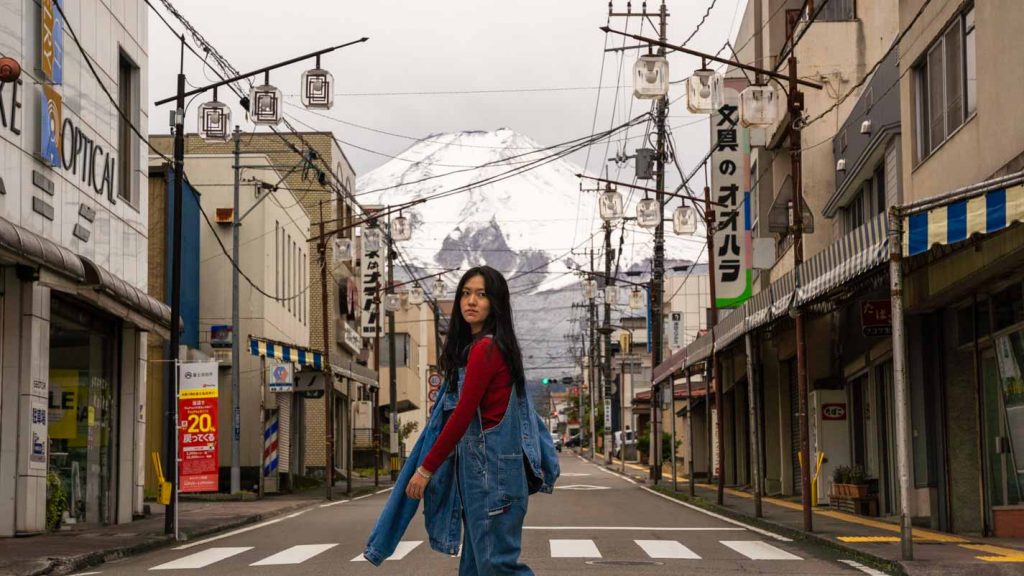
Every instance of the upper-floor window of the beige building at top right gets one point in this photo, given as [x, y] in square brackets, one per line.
[946, 81]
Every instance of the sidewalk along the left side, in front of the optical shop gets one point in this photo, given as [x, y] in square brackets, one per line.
[71, 551]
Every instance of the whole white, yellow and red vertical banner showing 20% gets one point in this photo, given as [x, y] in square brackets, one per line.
[198, 427]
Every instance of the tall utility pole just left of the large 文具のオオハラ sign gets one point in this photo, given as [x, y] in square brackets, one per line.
[658, 276]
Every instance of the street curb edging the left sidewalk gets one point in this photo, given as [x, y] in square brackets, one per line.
[60, 566]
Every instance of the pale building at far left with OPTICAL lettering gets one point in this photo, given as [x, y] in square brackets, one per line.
[75, 315]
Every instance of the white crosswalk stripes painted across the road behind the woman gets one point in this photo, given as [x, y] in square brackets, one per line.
[558, 549]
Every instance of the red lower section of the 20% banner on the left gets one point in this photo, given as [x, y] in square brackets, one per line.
[198, 444]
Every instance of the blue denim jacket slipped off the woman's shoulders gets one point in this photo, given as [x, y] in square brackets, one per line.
[443, 509]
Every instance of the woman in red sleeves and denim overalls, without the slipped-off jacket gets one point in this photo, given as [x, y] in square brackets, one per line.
[484, 366]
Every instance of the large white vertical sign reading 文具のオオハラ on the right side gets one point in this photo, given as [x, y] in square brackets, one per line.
[729, 182]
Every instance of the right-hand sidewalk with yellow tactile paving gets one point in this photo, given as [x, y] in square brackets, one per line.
[874, 541]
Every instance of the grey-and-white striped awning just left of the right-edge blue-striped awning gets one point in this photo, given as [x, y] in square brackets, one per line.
[845, 260]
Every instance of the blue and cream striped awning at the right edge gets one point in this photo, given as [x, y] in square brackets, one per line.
[985, 209]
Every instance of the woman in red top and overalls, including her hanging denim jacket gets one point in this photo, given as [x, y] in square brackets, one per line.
[484, 450]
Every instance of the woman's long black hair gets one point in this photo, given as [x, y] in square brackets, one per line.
[499, 325]
